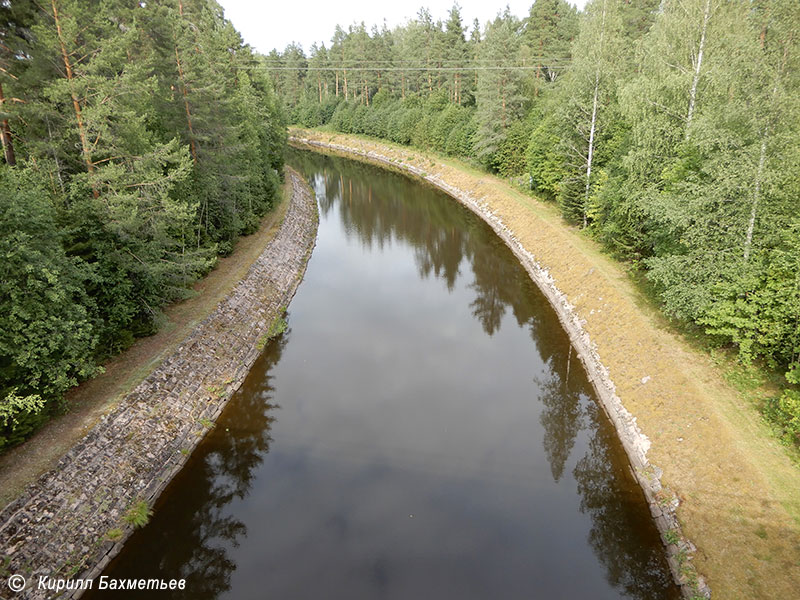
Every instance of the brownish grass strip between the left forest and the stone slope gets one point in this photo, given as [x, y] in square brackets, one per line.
[96, 397]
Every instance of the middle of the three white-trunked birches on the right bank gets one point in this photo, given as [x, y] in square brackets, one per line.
[690, 41]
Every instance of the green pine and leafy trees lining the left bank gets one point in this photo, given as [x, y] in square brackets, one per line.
[138, 143]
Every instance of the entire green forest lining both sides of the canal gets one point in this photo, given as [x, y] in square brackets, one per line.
[141, 139]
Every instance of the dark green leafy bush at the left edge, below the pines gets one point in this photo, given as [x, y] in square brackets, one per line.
[48, 339]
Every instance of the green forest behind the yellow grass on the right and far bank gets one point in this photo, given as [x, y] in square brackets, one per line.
[667, 130]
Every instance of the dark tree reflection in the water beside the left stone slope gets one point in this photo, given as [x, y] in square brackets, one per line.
[192, 528]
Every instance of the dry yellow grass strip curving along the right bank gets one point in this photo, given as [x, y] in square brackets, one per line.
[737, 486]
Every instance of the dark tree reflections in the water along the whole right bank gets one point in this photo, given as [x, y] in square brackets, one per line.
[379, 208]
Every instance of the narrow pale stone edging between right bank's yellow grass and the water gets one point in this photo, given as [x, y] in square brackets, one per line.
[636, 444]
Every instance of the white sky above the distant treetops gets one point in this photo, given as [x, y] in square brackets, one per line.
[274, 24]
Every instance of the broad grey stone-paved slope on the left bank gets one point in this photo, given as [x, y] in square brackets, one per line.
[72, 521]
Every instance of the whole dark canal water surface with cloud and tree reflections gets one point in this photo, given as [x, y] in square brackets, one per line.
[421, 431]
